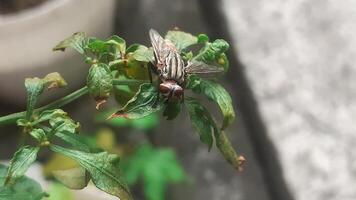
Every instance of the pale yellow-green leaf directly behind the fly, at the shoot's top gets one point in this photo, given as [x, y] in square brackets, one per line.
[181, 39]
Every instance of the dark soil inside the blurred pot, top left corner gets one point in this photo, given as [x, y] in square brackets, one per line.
[11, 6]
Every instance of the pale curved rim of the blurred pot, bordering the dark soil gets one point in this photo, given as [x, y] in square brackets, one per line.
[29, 13]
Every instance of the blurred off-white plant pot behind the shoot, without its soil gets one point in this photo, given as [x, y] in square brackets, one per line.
[27, 39]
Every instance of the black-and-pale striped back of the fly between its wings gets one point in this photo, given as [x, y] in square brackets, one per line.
[174, 67]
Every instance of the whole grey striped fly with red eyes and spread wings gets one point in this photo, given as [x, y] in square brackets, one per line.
[171, 69]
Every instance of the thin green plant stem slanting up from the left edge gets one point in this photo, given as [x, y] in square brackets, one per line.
[12, 118]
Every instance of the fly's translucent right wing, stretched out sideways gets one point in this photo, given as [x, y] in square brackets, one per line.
[197, 67]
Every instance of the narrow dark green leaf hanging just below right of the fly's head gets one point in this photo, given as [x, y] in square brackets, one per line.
[202, 121]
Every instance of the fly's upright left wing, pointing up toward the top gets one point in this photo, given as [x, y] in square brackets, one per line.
[160, 47]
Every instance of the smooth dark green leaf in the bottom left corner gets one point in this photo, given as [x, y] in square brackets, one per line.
[23, 188]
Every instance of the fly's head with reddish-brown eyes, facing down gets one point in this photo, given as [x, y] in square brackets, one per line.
[171, 90]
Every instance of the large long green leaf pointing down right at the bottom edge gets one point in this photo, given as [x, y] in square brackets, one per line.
[103, 168]
